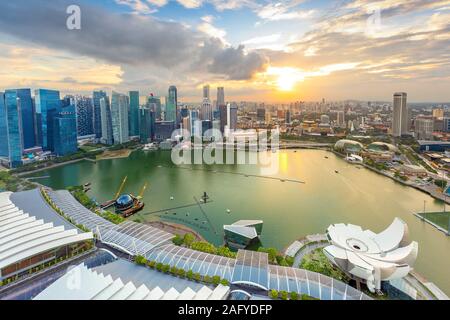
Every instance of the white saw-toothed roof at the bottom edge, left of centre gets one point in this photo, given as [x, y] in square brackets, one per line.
[81, 283]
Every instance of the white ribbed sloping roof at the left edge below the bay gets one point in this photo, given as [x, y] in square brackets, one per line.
[23, 236]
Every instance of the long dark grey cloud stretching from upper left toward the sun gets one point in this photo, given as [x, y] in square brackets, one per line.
[125, 39]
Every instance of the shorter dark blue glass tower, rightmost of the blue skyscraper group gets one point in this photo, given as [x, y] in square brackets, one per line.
[65, 131]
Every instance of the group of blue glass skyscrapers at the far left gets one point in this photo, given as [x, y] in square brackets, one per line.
[28, 123]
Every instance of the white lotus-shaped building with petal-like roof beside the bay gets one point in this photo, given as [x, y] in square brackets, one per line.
[371, 257]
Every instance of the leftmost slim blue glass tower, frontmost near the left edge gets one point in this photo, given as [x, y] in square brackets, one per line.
[14, 128]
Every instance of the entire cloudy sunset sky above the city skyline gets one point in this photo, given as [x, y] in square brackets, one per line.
[259, 50]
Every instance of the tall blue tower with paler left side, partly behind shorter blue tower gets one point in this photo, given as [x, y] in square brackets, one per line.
[48, 104]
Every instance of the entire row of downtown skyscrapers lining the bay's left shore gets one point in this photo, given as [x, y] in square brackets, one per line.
[47, 123]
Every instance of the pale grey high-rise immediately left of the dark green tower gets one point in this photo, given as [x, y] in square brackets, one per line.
[119, 115]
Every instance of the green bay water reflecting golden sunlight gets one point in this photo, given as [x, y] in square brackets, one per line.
[289, 210]
